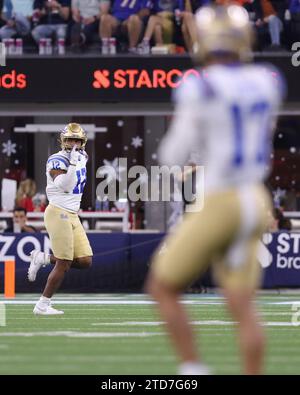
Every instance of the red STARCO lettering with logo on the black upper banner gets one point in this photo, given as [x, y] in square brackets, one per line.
[136, 79]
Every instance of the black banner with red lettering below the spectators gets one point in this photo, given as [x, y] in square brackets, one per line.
[109, 79]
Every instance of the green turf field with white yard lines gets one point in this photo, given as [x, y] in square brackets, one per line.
[122, 334]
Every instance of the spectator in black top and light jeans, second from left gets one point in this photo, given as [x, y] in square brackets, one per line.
[53, 18]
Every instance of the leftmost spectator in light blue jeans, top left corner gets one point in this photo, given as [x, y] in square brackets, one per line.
[17, 23]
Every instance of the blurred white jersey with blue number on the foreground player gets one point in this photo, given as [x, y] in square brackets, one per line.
[227, 116]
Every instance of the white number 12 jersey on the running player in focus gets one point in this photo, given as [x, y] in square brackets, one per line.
[66, 200]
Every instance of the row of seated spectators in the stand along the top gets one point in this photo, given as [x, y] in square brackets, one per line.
[138, 25]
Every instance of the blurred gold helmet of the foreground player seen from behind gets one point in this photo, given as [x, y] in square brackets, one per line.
[223, 30]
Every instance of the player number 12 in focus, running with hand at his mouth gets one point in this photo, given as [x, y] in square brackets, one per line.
[66, 178]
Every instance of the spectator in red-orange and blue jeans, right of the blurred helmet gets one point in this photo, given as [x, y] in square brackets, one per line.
[267, 14]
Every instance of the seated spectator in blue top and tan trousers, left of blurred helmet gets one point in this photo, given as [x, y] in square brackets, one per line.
[161, 24]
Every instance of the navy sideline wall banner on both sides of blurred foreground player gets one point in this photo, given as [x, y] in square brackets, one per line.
[121, 261]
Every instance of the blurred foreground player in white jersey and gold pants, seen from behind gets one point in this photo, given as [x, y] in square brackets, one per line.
[227, 115]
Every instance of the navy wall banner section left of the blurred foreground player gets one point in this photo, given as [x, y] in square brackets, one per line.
[113, 270]
